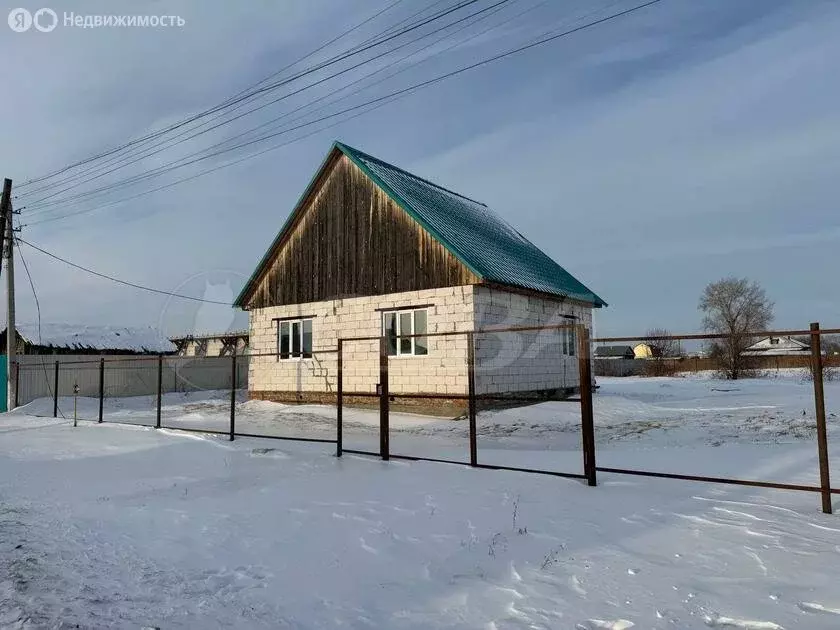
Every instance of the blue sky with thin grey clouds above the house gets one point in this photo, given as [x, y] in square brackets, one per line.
[649, 155]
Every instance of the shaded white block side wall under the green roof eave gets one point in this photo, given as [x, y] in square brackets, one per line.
[524, 361]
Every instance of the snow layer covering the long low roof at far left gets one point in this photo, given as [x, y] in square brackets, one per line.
[86, 337]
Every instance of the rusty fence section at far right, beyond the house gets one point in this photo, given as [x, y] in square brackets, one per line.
[766, 430]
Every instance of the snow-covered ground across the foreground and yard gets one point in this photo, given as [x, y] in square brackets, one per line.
[119, 526]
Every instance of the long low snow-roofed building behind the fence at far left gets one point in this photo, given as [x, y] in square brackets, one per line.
[54, 338]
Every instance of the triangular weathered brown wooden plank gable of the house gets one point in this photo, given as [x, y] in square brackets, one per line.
[348, 238]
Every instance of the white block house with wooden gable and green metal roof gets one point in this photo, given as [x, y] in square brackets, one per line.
[371, 250]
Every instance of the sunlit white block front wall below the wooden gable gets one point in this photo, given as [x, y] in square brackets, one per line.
[443, 370]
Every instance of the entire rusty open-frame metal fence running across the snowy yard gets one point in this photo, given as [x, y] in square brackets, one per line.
[163, 374]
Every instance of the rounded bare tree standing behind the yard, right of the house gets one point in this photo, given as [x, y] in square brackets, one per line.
[734, 307]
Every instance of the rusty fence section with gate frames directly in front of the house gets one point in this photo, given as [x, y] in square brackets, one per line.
[458, 375]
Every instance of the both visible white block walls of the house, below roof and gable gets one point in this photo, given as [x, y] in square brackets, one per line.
[505, 362]
